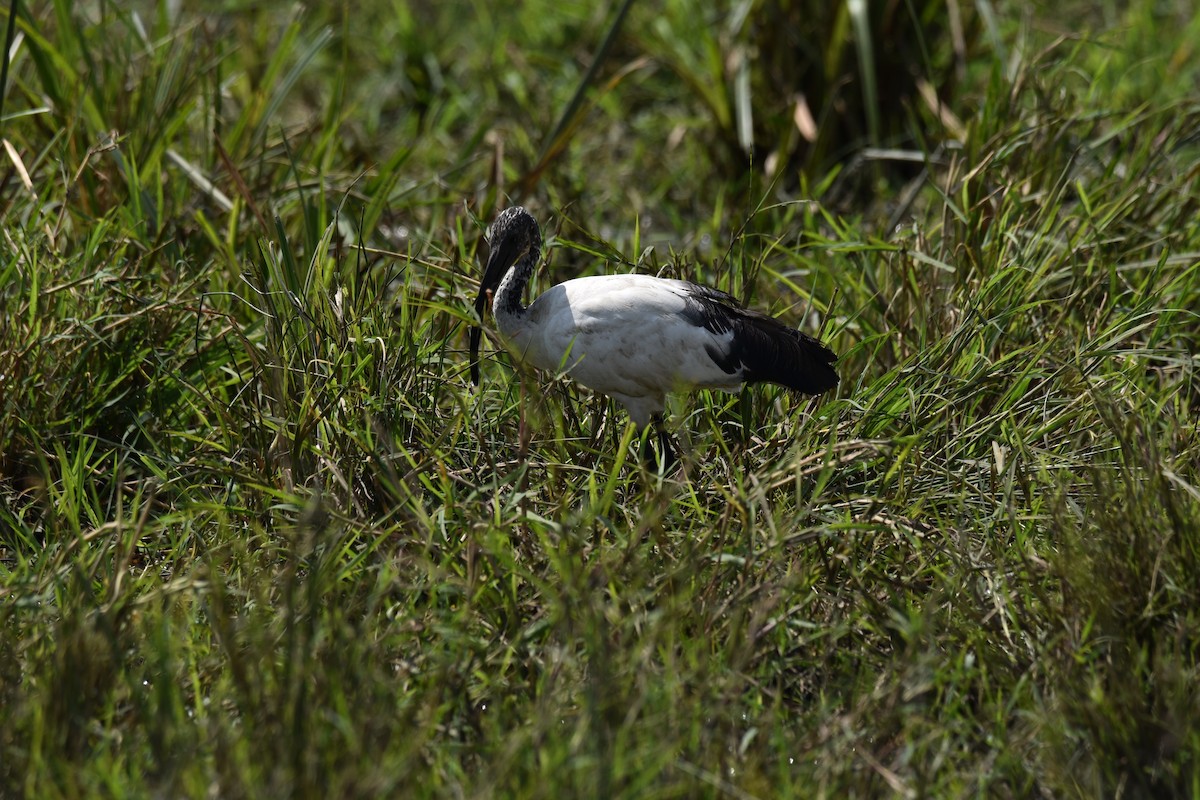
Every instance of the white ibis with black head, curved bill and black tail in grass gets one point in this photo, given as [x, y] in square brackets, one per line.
[638, 338]
